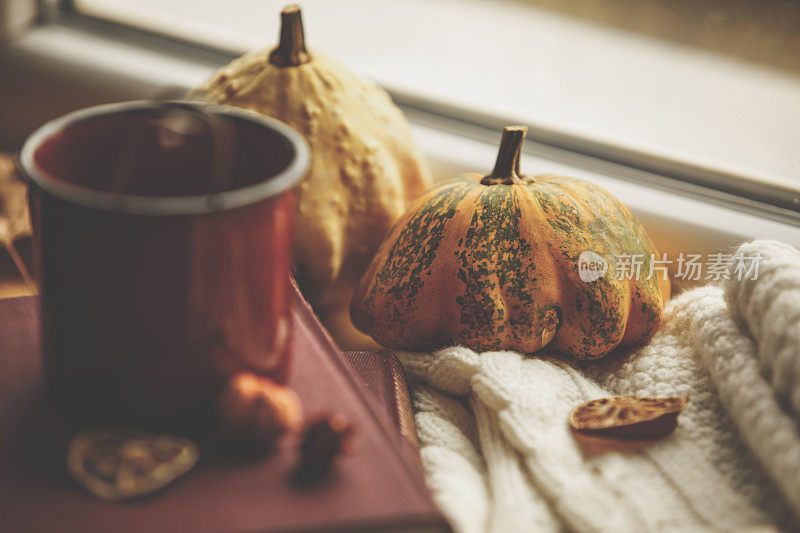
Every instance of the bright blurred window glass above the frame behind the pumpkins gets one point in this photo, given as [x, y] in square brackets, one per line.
[714, 83]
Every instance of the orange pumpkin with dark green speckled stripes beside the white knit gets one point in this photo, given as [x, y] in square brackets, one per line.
[491, 262]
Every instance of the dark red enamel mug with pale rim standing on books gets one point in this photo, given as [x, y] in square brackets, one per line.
[162, 247]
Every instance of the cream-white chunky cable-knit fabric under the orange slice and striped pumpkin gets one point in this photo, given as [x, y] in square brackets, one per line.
[499, 455]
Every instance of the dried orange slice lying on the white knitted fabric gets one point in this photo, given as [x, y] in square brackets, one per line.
[628, 417]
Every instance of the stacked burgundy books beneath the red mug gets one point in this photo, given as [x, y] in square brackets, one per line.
[378, 487]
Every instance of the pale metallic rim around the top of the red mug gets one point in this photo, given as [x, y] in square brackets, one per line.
[165, 205]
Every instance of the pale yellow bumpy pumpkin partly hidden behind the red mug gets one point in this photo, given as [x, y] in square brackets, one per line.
[365, 168]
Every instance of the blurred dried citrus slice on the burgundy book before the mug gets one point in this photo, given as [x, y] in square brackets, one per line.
[119, 464]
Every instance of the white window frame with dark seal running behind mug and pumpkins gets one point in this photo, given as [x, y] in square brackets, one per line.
[70, 61]
